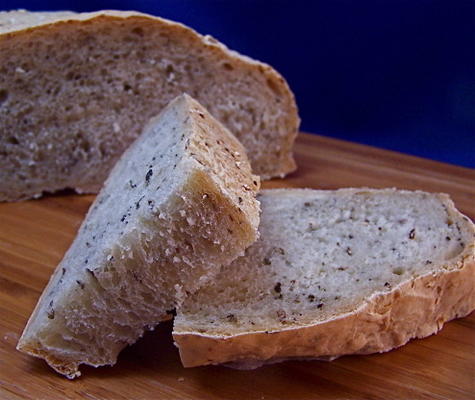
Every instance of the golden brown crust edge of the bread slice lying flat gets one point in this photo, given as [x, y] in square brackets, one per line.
[414, 309]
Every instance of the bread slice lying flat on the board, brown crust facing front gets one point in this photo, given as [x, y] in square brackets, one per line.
[340, 272]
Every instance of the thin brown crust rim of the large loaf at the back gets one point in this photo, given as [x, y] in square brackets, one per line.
[15, 24]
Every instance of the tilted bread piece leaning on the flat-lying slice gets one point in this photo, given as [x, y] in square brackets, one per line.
[178, 205]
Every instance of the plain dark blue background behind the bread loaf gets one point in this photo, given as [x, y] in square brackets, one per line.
[398, 74]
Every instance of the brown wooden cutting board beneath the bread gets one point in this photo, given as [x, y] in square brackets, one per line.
[35, 234]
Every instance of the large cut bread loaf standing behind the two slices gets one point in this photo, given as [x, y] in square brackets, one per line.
[77, 89]
